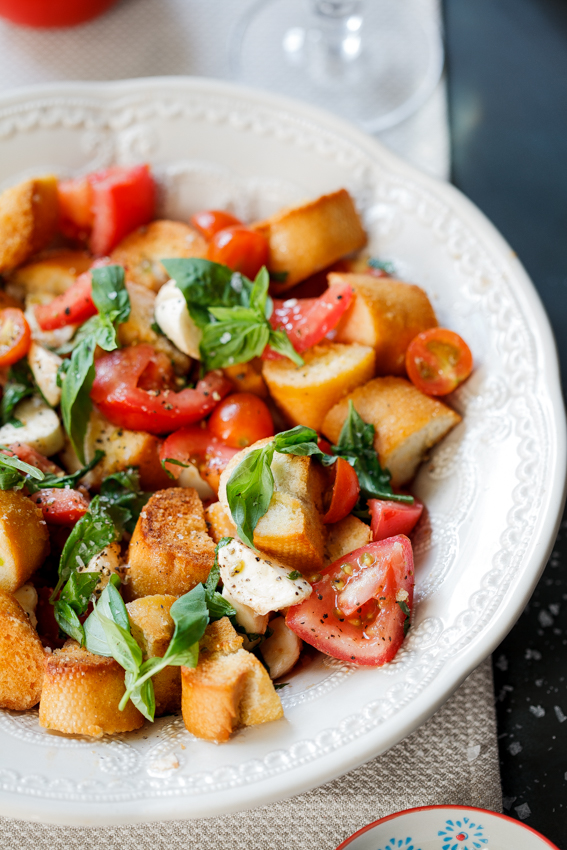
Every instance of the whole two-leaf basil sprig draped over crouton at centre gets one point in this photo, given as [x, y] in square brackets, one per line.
[250, 488]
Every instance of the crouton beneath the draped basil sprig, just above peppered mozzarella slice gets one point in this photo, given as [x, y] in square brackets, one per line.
[291, 529]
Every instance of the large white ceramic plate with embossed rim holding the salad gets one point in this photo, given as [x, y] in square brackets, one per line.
[494, 488]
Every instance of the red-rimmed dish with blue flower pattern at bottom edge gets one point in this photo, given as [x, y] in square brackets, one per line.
[447, 828]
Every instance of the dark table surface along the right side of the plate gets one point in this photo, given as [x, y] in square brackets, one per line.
[507, 71]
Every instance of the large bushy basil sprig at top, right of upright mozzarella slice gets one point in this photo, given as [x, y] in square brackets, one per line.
[231, 311]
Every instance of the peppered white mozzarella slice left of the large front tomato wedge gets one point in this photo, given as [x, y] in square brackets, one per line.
[260, 583]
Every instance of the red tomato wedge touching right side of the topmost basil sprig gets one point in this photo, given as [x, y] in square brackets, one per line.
[307, 321]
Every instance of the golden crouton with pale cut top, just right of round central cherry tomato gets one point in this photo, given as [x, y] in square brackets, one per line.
[330, 371]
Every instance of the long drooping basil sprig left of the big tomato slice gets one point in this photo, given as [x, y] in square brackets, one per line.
[113, 304]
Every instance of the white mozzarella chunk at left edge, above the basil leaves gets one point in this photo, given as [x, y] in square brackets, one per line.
[40, 429]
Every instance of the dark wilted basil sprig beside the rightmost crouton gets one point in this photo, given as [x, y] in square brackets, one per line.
[356, 445]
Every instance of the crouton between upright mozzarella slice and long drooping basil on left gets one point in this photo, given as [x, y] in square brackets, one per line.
[138, 329]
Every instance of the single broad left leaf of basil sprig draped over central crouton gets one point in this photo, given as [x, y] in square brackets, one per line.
[249, 491]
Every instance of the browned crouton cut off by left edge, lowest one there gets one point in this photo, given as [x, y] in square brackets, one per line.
[21, 670]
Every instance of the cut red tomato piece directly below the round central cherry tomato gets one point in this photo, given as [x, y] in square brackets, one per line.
[198, 446]
